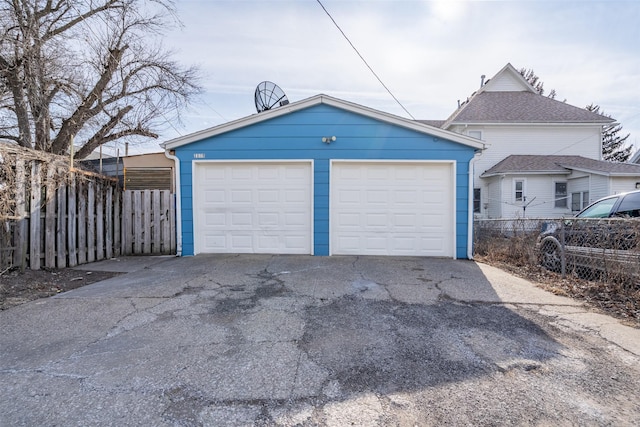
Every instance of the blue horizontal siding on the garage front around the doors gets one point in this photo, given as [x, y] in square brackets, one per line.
[298, 135]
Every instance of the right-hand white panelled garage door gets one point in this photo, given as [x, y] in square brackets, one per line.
[392, 208]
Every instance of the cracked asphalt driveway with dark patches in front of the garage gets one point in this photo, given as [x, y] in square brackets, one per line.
[299, 340]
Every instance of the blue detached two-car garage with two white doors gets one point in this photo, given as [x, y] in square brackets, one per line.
[323, 176]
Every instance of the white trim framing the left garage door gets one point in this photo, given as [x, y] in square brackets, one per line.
[196, 202]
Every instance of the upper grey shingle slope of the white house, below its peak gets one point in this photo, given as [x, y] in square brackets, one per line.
[521, 107]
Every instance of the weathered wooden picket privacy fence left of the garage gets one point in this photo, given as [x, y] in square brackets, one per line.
[55, 218]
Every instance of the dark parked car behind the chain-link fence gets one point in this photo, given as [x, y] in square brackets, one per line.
[604, 234]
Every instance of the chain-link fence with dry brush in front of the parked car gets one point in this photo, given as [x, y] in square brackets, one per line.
[599, 250]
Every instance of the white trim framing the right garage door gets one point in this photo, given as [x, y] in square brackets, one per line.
[452, 207]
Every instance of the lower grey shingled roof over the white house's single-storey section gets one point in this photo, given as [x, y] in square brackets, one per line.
[536, 164]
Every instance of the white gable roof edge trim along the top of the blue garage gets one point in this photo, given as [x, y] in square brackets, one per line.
[326, 100]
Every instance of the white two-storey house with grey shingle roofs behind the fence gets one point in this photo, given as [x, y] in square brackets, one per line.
[543, 157]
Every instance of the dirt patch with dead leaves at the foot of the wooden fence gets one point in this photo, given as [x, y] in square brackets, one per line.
[19, 287]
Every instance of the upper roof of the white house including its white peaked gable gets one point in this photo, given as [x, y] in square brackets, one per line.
[509, 99]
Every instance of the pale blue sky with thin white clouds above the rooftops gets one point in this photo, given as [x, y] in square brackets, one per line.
[430, 54]
